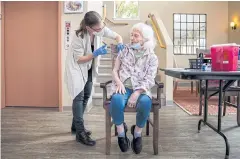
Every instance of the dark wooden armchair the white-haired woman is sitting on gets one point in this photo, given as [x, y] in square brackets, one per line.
[156, 105]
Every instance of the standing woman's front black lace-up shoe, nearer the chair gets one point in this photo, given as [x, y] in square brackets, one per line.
[85, 139]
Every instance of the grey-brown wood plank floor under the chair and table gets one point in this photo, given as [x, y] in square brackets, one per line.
[37, 133]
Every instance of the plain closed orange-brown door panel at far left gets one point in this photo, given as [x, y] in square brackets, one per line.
[31, 54]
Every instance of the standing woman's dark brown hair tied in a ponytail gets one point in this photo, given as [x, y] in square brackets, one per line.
[90, 19]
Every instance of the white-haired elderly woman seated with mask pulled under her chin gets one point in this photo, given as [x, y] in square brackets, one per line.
[133, 77]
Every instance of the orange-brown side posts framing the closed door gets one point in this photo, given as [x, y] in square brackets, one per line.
[59, 45]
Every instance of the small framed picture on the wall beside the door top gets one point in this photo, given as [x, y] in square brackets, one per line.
[71, 7]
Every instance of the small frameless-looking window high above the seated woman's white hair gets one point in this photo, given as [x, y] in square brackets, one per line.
[126, 10]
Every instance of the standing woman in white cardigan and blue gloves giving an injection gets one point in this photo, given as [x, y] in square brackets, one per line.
[80, 65]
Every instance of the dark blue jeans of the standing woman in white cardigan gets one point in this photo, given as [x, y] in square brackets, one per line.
[80, 103]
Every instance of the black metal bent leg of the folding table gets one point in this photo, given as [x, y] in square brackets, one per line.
[218, 130]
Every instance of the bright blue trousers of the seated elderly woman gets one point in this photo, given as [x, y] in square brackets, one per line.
[119, 101]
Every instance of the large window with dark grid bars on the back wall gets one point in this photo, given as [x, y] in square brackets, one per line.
[189, 33]
